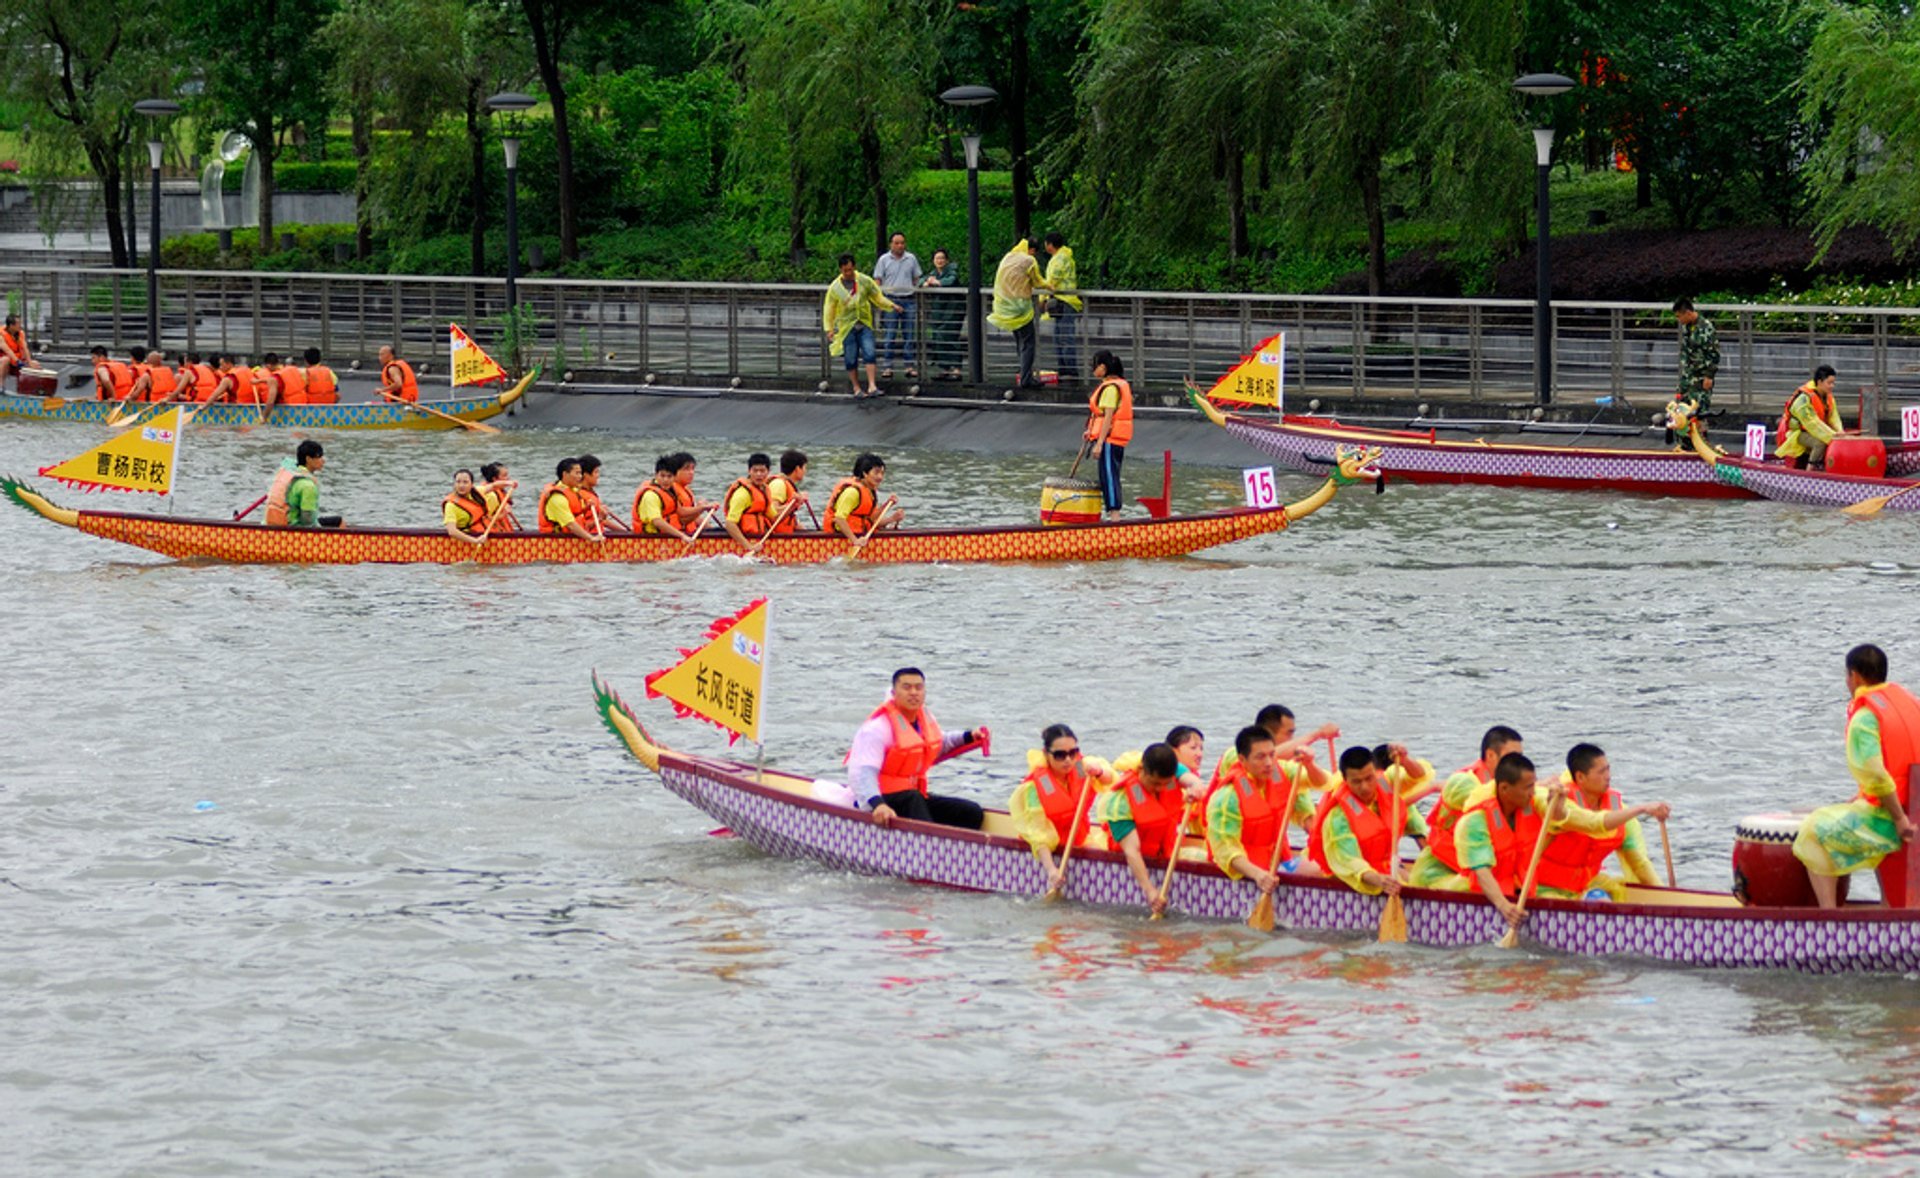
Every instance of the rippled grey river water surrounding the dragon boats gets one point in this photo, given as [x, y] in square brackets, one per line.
[335, 872]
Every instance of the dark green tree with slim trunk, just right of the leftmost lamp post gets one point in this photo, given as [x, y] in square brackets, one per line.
[264, 59]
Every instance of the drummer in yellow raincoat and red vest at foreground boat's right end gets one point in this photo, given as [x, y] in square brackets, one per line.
[1875, 830]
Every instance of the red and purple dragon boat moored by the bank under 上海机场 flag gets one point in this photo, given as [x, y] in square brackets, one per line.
[1422, 458]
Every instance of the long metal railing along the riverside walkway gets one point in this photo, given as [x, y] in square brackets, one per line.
[1468, 350]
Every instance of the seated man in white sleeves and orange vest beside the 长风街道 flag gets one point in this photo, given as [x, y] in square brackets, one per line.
[892, 755]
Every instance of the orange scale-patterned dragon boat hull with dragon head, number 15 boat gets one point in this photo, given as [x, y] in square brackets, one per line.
[258, 544]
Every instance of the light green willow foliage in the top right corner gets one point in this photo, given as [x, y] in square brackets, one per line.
[1865, 76]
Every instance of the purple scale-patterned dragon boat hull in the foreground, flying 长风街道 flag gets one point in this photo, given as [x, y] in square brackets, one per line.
[786, 816]
